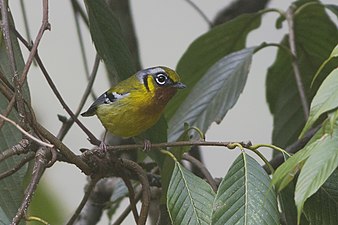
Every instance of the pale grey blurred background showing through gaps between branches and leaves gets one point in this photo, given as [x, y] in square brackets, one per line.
[164, 30]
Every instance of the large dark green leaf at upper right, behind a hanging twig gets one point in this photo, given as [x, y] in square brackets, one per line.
[315, 37]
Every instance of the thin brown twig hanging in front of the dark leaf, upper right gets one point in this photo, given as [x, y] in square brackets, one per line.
[294, 62]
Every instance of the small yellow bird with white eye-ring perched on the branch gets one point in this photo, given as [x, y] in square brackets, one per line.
[136, 104]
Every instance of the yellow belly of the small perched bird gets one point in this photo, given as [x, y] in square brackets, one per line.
[126, 121]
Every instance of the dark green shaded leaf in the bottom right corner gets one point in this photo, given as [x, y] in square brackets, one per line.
[322, 207]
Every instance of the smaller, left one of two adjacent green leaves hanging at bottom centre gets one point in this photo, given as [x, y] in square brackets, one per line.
[189, 198]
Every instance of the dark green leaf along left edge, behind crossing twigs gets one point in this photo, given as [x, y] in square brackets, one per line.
[11, 188]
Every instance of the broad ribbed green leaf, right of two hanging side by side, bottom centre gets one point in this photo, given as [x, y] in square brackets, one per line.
[245, 196]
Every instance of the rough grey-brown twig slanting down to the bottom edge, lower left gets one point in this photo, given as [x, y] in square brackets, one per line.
[39, 167]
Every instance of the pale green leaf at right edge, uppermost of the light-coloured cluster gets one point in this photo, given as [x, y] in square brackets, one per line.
[326, 99]
